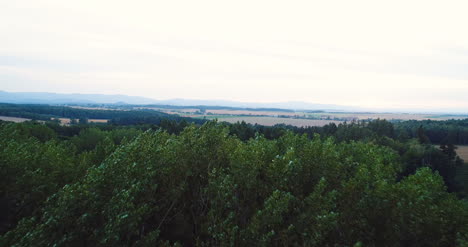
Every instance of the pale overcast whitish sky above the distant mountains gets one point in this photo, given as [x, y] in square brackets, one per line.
[374, 54]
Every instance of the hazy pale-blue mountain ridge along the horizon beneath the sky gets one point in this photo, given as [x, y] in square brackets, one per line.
[57, 98]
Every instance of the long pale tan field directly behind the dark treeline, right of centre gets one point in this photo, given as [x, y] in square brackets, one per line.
[270, 121]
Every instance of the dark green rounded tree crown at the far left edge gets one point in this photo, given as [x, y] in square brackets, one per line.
[31, 170]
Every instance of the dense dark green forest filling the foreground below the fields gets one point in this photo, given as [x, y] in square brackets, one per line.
[174, 182]
